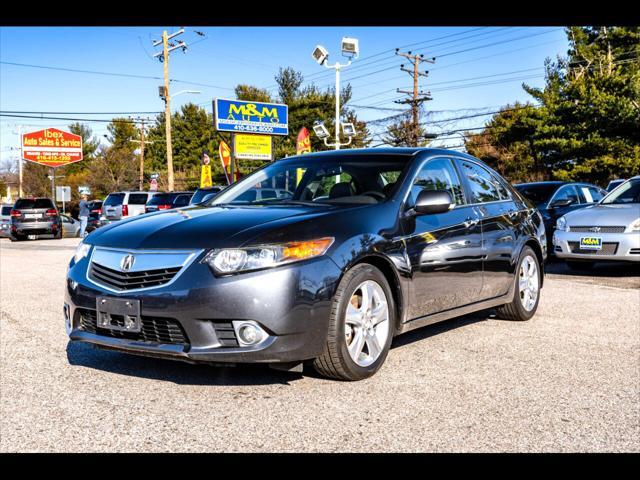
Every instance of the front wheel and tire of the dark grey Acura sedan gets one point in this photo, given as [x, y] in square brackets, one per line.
[336, 361]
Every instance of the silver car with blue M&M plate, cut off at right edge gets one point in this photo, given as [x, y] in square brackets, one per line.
[607, 231]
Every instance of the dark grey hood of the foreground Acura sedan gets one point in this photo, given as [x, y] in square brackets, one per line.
[201, 227]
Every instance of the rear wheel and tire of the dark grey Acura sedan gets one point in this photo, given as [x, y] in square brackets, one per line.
[516, 309]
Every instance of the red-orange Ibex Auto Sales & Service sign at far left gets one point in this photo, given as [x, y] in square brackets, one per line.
[51, 147]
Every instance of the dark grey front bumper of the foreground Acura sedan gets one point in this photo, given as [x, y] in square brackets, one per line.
[291, 303]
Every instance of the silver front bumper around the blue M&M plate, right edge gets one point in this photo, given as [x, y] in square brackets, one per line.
[615, 246]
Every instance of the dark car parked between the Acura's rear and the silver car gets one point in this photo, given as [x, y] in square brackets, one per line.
[554, 199]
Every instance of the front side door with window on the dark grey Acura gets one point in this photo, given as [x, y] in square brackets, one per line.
[445, 249]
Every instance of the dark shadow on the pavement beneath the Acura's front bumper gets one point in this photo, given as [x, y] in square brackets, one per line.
[181, 373]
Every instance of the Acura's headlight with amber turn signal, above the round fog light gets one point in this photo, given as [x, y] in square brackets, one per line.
[233, 260]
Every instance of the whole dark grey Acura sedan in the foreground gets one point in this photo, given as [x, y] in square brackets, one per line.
[373, 243]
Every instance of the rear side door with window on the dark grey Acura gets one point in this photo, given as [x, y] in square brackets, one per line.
[500, 220]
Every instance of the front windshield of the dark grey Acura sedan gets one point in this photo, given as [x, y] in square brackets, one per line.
[321, 180]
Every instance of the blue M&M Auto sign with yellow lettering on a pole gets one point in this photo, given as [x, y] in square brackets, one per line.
[238, 116]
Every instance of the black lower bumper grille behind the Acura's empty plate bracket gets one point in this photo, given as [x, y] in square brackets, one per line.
[154, 329]
